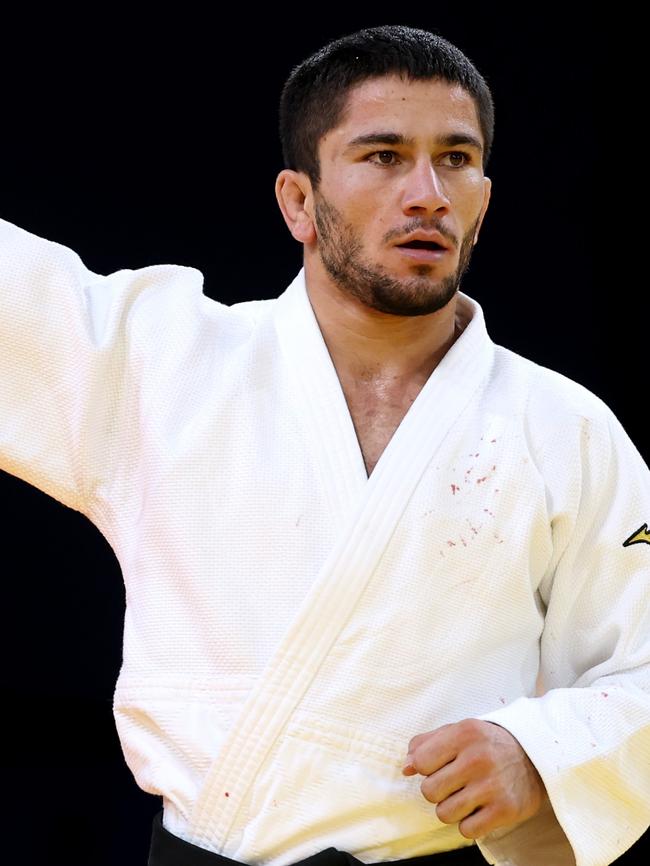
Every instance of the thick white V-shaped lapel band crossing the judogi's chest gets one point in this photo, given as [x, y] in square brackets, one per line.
[366, 510]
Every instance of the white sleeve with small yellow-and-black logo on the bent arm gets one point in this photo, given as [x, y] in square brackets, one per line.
[589, 734]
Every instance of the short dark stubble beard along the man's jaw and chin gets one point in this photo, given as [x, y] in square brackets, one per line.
[340, 251]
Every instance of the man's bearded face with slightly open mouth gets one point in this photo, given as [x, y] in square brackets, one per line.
[402, 178]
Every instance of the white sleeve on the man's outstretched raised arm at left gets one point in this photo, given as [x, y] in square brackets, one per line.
[68, 362]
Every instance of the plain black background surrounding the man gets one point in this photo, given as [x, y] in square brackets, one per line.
[155, 142]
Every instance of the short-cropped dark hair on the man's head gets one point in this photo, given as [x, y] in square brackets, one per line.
[315, 94]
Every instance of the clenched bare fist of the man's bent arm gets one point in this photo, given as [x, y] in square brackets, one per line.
[478, 774]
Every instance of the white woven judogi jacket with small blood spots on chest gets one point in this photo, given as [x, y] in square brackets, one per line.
[291, 623]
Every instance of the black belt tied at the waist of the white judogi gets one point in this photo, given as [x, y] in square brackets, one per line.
[168, 850]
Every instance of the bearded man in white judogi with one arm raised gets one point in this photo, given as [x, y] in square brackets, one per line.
[386, 581]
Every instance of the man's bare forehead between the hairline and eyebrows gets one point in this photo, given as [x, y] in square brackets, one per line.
[417, 109]
